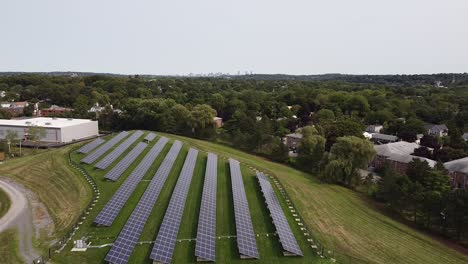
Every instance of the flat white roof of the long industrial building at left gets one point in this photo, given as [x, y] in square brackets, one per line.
[44, 122]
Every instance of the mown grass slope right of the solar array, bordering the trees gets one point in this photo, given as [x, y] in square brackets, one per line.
[346, 222]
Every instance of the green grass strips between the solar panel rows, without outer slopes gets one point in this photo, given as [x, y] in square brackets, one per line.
[268, 245]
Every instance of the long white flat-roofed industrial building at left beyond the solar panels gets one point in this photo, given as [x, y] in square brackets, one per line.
[57, 130]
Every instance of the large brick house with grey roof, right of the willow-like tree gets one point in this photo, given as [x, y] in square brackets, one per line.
[398, 155]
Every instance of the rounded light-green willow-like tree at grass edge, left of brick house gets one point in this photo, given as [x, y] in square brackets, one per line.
[348, 155]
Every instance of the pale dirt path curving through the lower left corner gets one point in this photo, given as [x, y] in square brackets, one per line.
[19, 217]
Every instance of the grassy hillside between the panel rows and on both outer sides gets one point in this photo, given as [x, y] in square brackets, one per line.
[346, 223]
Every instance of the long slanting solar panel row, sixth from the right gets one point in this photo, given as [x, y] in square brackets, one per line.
[107, 215]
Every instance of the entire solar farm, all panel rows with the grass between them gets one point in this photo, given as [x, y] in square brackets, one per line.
[163, 201]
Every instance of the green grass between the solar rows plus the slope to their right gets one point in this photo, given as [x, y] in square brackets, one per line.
[346, 222]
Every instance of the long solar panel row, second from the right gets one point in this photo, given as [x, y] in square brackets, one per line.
[245, 234]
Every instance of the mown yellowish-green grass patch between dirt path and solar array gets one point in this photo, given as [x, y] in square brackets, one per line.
[61, 189]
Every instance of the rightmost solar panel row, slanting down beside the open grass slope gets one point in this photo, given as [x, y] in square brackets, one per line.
[286, 236]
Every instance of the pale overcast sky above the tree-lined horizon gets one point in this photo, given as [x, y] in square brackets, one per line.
[267, 36]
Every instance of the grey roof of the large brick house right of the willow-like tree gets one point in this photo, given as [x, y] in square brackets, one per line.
[401, 152]
